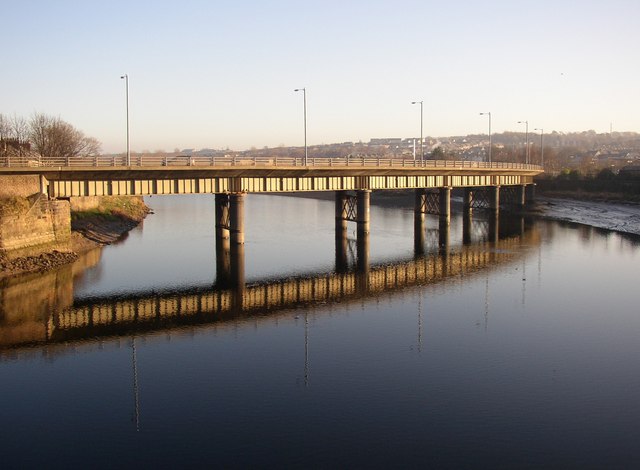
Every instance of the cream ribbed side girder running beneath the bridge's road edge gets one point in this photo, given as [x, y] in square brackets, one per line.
[63, 188]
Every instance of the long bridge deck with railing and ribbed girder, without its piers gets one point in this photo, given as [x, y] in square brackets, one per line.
[191, 175]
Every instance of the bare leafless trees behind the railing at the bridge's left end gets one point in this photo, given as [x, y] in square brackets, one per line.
[46, 136]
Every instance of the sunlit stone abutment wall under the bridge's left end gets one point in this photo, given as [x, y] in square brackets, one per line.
[43, 222]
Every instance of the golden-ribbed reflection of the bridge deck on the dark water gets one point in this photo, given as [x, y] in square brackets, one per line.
[100, 317]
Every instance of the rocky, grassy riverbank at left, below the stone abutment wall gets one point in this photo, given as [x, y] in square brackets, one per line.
[104, 224]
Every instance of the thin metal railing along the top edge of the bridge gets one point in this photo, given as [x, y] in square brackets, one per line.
[141, 161]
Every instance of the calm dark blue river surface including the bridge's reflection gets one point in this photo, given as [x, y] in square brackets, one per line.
[516, 351]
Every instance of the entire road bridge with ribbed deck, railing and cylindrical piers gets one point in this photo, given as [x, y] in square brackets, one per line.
[485, 185]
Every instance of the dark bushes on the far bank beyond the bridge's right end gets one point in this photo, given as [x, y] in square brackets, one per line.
[604, 185]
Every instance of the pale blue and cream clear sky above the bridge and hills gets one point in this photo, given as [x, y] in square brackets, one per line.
[221, 74]
